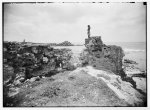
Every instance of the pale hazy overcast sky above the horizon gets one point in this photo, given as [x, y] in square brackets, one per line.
[57, 22]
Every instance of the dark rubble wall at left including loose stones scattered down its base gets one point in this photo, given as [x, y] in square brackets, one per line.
[26, 64]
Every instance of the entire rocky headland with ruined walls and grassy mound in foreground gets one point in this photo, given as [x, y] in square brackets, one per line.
[44, 76]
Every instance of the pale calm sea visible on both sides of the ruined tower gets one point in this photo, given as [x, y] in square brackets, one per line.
[135, 51]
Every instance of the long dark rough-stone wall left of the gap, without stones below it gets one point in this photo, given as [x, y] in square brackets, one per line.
[26, 61]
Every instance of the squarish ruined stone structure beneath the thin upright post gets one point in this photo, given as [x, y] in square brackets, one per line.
[103, 56]
